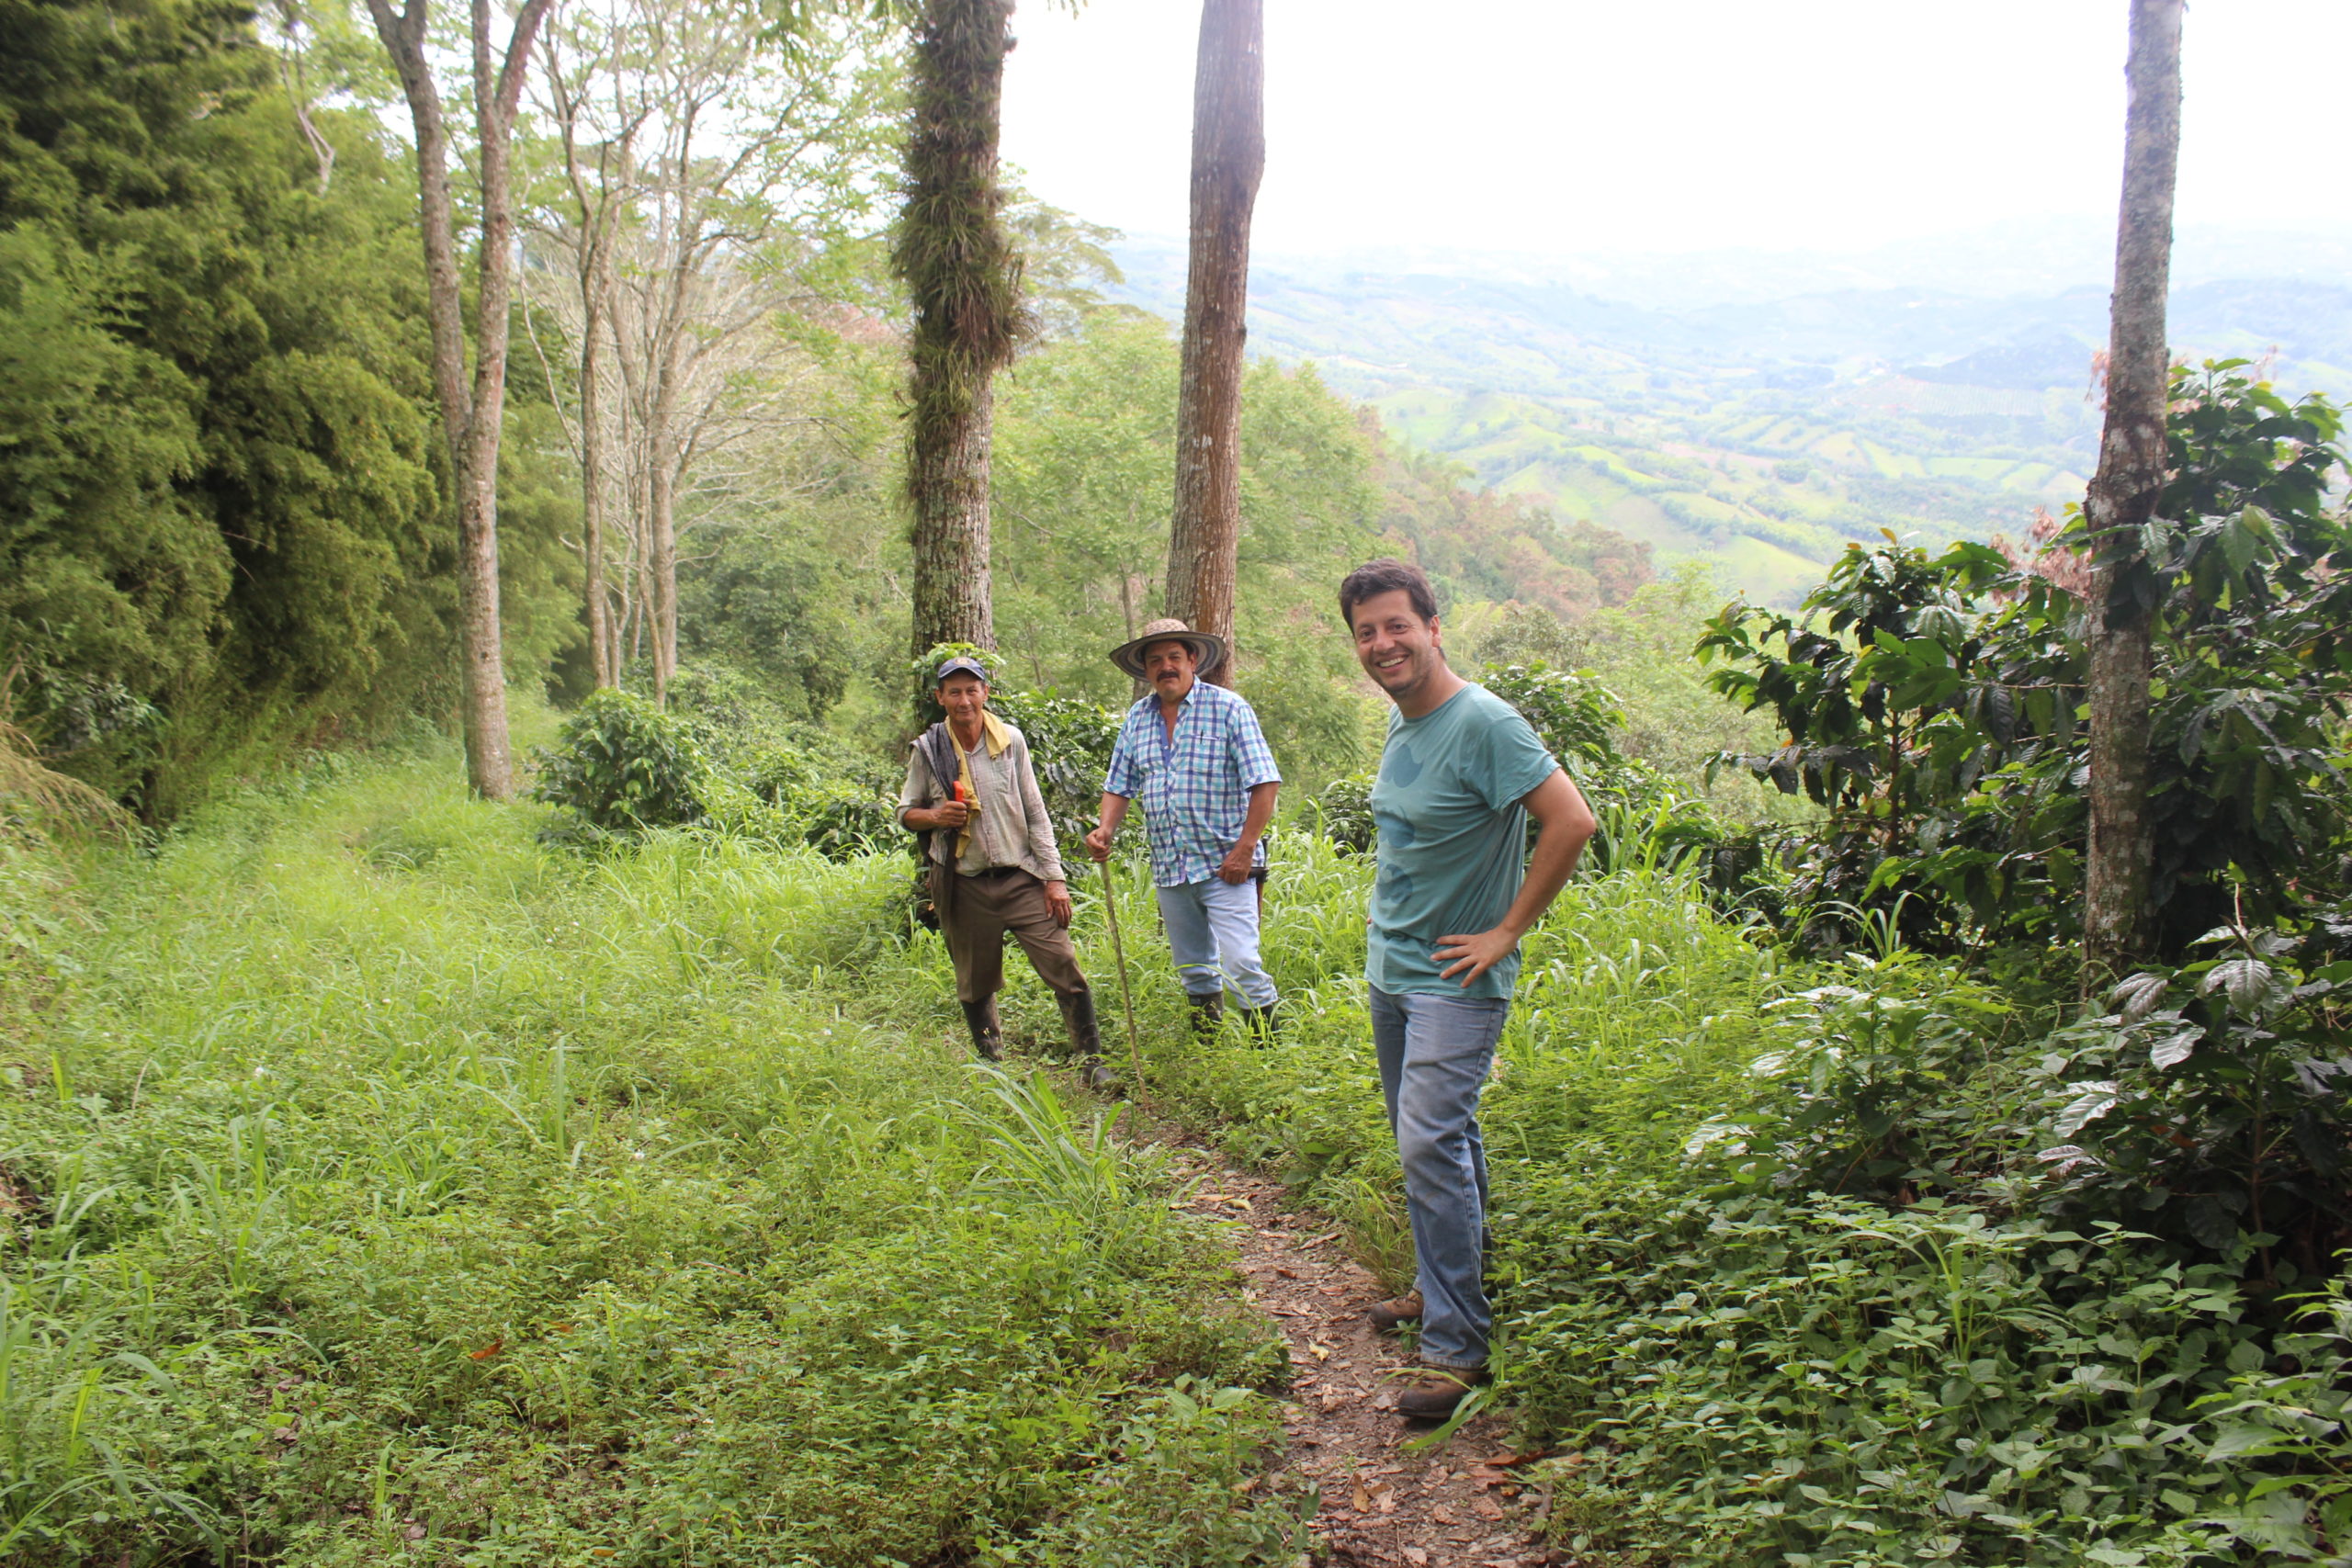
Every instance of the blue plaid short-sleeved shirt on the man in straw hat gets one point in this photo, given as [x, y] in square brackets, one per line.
[1194, 791]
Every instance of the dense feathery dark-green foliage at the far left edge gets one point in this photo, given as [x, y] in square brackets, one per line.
[218, 488]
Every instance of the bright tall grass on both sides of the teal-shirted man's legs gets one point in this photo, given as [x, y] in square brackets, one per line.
[1636, 1005]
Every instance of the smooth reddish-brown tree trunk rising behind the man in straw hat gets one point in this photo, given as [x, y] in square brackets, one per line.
[1229, 159]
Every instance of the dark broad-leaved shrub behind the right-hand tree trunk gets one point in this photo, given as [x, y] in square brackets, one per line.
[1935, 704]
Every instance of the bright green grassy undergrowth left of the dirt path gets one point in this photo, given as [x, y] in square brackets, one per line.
[389, 1186]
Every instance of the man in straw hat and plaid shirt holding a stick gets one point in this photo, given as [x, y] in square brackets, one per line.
[1196, 758]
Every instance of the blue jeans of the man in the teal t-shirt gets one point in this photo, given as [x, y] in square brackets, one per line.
[1436, 1054]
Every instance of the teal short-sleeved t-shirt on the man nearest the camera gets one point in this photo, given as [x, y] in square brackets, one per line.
[1452, 838]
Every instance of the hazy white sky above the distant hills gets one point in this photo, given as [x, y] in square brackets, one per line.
[1659, 126]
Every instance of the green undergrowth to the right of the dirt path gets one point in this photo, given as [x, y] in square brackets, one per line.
[1746, 1365]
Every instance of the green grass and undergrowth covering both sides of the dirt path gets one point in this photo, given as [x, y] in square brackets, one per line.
[394, 1181]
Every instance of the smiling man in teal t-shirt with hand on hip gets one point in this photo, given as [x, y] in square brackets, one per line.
[1459, 777]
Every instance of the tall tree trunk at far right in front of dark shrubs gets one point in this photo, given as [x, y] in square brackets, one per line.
[2125, 497]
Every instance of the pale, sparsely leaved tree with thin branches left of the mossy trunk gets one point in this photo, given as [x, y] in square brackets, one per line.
[702, 168]
